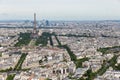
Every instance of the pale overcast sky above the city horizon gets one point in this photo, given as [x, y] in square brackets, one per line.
[60, 9]
